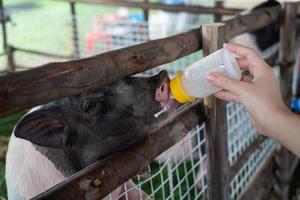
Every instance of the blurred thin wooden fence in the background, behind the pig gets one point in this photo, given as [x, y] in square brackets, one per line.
[10, 50]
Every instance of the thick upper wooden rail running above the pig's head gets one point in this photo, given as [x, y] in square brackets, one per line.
[26, 89]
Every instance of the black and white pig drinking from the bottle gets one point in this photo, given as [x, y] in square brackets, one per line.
[56, 140]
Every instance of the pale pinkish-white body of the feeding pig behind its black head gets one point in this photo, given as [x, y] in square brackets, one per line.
[28, 172]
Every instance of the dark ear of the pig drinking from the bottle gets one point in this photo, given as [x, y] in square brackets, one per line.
[43, 127]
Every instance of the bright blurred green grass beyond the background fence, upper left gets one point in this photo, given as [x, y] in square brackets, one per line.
[46, 26]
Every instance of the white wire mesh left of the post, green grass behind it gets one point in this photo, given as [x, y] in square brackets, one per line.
[178, 173]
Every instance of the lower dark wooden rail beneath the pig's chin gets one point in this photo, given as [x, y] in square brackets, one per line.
[110, 172]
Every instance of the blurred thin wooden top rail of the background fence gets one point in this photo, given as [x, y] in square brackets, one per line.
[166, 7]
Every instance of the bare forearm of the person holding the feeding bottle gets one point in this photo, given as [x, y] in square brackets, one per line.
[286, 130]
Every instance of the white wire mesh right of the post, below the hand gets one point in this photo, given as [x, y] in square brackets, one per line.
[241, 134]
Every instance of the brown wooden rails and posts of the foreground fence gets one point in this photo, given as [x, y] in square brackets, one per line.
[22, 90]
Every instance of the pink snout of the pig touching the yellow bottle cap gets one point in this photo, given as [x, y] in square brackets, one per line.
[162, 92]
